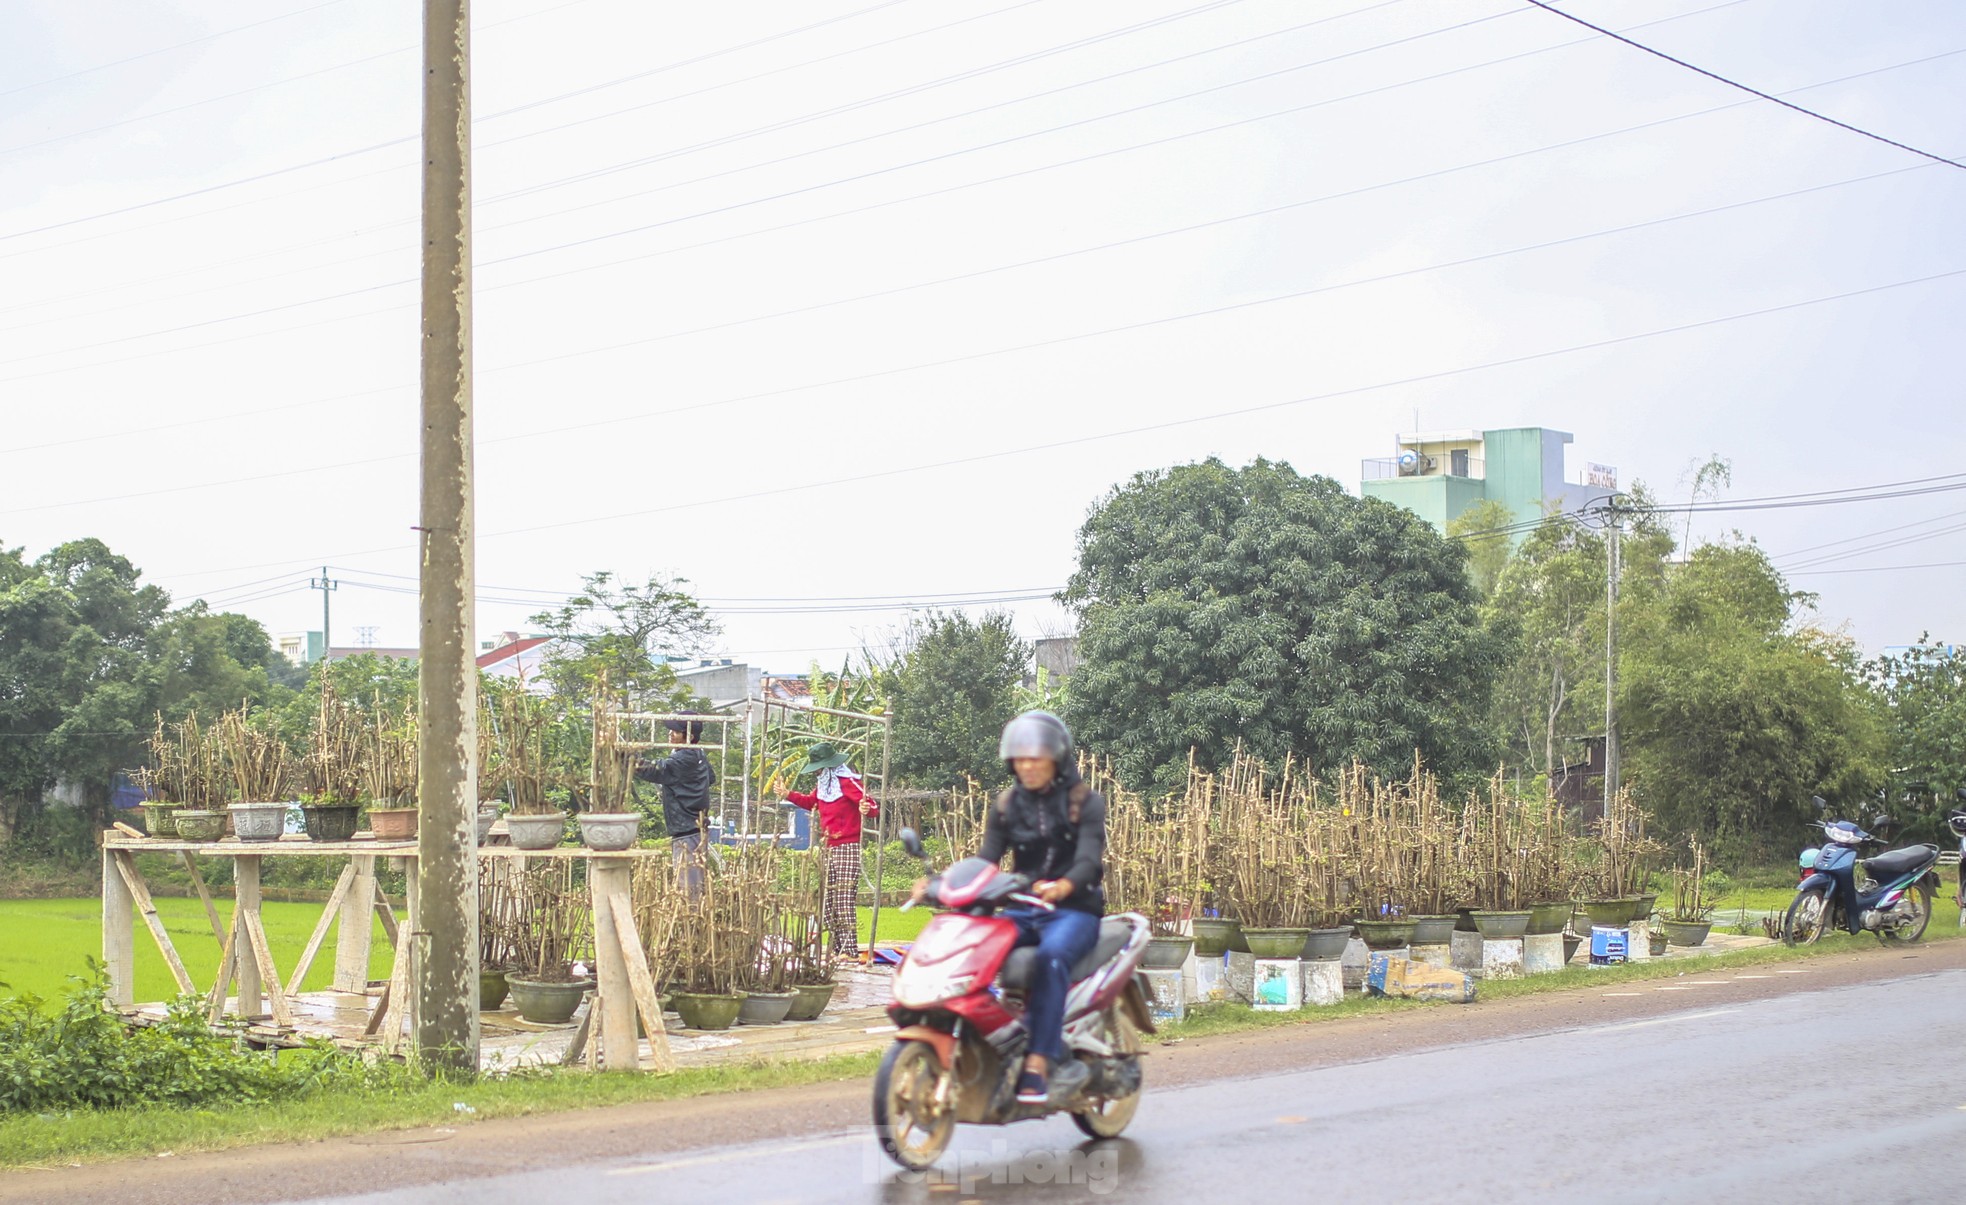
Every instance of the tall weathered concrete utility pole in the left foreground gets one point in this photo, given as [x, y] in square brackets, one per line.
[445, 954]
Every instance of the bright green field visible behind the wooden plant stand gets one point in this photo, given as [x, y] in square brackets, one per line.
[44, 943]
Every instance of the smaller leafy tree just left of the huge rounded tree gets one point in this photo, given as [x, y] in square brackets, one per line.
[953, 691]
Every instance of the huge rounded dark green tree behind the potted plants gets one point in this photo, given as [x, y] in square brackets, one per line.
[1259, 608]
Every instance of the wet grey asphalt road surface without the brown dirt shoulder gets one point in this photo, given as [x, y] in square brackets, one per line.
[1853, 1090]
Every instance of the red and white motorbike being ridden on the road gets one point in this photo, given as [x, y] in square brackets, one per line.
[960, 1013]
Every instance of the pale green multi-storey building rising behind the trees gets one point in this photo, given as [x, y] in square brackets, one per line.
[1442, 473]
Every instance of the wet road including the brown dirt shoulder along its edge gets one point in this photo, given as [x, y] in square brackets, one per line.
[1820, 1080]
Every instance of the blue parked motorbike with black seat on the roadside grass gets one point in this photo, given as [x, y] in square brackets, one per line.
[1894, 899]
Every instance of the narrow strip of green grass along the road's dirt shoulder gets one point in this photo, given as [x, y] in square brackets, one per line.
[52, 1141]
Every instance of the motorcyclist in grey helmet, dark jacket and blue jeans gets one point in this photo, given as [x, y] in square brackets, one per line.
[1053, 825]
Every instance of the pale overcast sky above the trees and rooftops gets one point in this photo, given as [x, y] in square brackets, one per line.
[734, 258]
